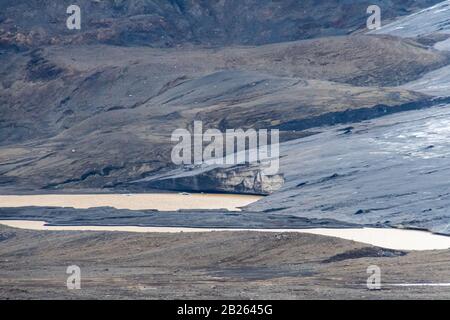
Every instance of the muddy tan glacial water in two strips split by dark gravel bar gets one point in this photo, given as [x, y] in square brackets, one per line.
[387, 238]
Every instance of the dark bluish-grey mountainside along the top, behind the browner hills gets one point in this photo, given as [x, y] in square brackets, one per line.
[162, 23]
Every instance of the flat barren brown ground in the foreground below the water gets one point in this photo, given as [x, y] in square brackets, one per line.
[216, 265]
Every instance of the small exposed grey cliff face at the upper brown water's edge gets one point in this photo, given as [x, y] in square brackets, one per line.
[237, 179]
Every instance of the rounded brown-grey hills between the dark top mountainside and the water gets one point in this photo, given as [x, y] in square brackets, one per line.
[101, 116]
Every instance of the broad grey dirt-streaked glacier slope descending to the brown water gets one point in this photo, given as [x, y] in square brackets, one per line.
[391, 171]
